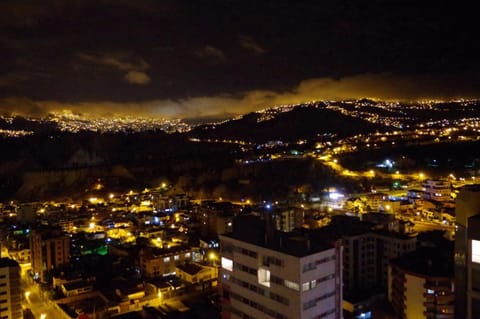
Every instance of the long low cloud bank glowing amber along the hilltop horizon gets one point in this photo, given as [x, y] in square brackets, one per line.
[375, 86]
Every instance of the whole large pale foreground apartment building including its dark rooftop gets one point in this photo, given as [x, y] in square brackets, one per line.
[268, 274]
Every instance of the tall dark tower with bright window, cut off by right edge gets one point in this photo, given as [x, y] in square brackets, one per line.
[467, 253]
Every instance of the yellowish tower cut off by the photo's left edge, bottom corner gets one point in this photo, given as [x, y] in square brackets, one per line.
[10, 292]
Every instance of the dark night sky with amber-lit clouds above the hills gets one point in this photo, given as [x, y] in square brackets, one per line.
[196, 59]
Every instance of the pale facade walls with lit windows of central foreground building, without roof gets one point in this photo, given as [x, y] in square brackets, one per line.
[297, 287]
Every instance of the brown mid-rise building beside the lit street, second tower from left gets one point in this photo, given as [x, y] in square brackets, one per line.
[50, 248]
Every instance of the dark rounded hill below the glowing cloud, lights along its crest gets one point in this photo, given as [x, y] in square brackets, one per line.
[301, 122]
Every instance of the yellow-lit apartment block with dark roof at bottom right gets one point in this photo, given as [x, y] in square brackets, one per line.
[421, 284]
